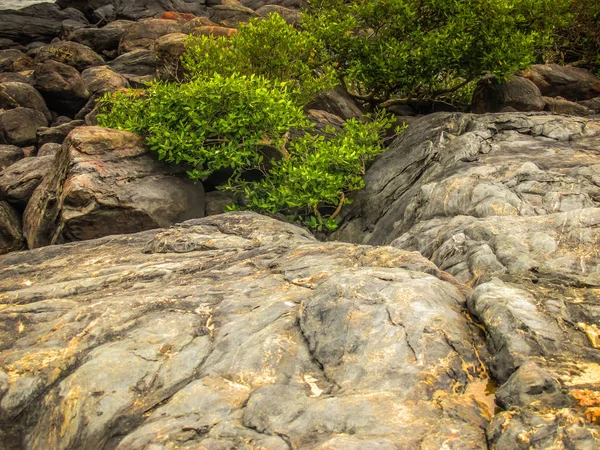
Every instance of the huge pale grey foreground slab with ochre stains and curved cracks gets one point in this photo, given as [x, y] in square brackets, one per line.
[235, 331]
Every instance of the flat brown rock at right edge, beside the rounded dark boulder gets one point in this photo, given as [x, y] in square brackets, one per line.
[571, 83]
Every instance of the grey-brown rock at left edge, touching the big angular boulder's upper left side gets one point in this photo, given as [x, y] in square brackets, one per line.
[18, 181]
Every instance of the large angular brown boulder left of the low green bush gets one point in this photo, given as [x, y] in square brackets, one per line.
[104, 182]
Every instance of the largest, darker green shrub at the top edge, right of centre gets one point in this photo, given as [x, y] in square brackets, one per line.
[428, 49]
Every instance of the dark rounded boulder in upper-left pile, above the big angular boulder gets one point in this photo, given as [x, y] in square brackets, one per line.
[61, 86]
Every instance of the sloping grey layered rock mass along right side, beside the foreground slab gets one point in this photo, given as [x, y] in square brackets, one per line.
[507, 203]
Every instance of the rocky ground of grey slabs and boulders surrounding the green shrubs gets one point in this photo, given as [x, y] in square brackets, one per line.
[463, 312]
